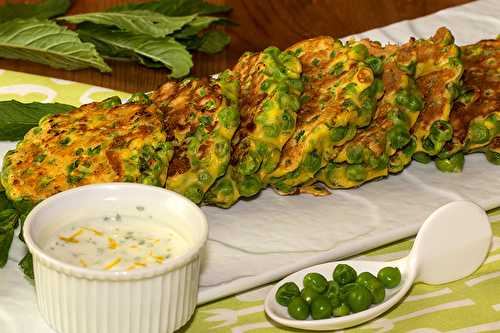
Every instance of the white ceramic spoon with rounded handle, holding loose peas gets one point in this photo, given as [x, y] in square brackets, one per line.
[451, 244]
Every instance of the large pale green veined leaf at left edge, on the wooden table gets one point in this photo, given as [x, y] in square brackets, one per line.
[45, 42]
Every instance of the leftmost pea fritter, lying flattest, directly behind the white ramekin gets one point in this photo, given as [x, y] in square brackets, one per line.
[95, 143]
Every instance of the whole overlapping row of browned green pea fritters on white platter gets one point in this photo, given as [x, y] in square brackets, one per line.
[319, 113]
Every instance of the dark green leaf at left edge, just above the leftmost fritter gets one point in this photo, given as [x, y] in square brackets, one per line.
[17, 118]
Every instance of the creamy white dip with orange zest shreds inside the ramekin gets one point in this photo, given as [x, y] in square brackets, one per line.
[118, 243]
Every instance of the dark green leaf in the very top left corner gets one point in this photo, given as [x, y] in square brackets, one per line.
[43, 10]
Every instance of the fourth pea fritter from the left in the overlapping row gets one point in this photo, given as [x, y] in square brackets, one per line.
[340, 95]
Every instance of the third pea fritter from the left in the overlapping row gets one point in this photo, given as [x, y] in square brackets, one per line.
[269, 99]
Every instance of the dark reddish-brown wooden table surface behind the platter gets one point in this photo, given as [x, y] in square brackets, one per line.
[260, 23]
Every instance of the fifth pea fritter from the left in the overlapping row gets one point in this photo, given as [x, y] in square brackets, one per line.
[366, 156]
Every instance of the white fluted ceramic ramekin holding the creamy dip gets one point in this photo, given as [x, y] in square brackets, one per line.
[157, 299]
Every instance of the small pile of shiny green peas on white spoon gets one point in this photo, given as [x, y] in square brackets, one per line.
[347, 292]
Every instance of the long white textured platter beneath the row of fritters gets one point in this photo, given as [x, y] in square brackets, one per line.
[261, 240]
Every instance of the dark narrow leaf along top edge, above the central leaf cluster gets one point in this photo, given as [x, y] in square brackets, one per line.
[176, 8]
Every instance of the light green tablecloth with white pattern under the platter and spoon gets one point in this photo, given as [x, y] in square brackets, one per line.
[468, 305]
